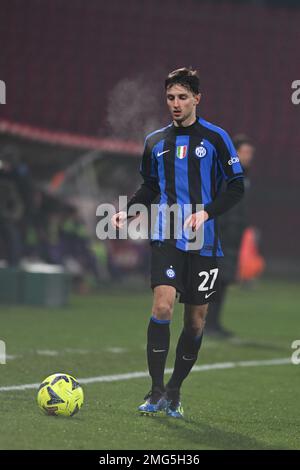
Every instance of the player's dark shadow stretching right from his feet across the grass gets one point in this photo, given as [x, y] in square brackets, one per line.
[198, 433]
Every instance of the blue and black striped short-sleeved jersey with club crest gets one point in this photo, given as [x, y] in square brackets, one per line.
[189, 165]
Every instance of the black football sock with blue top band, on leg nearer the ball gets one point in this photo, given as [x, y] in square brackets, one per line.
[158, 341]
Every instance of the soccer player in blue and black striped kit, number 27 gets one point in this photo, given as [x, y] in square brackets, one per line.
[184, 164]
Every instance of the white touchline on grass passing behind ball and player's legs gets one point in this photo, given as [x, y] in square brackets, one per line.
[137, 375]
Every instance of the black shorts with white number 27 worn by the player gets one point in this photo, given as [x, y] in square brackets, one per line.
[195, 277]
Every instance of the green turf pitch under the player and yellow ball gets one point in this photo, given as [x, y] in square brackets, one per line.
[249, 405]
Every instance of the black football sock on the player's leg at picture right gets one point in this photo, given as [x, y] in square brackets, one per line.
[186, 355]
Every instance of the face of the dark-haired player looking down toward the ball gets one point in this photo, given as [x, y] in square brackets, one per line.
[182, 104]
